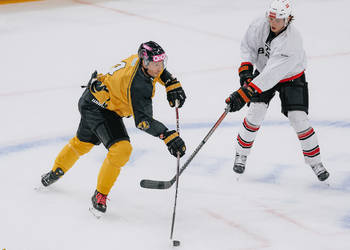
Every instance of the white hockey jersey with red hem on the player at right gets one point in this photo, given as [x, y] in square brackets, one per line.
[282, 59]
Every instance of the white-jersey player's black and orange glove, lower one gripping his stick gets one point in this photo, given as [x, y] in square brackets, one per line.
[239, 98]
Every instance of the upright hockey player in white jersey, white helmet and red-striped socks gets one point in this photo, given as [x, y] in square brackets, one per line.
[273, 47]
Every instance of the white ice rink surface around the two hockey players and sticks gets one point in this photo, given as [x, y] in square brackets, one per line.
[49, 48]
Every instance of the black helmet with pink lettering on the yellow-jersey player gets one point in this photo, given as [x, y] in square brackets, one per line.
[151, 52]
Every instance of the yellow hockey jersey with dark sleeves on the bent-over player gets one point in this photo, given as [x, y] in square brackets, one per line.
[128, 91]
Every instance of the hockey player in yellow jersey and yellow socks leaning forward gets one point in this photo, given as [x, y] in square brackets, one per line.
[124, 92]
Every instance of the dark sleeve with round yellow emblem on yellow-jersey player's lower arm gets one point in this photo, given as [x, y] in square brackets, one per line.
[143, 111]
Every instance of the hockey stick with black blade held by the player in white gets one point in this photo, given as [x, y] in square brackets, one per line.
[152, 184]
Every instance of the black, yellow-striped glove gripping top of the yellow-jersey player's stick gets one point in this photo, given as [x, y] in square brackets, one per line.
[173, 89]
